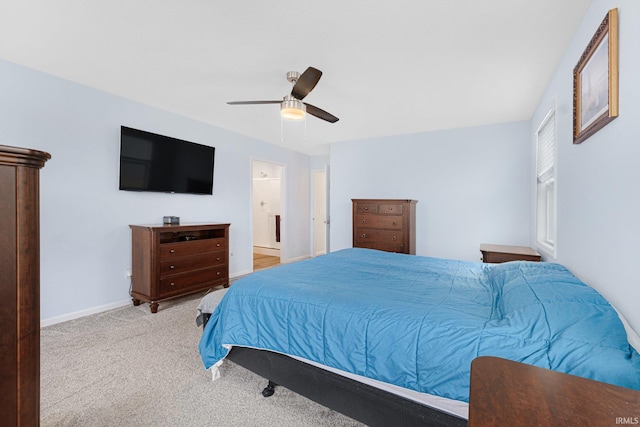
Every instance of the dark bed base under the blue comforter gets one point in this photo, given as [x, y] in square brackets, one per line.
[354, 399]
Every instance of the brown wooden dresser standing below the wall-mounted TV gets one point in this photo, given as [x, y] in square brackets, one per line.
[174, 260]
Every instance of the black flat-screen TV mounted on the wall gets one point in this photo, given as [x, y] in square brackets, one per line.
[152, 162]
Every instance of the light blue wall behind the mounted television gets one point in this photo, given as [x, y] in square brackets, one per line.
[85, 238]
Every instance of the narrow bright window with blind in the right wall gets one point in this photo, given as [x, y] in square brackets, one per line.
[546, 185]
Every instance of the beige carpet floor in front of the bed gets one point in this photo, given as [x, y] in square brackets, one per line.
[128, 367]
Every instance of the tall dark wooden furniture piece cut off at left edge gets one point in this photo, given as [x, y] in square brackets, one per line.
[20, 285]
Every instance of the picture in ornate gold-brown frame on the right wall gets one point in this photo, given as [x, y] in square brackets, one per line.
[595, 81]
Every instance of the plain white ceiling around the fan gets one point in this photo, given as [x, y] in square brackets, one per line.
[390, 67]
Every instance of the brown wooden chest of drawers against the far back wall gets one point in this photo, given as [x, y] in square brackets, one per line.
[385, 224]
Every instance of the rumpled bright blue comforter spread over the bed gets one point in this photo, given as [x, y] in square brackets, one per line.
[418, 322]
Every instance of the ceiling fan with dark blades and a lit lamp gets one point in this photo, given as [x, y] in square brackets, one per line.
[291, 106]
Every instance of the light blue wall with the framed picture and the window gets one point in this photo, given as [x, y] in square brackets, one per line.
[598, 181]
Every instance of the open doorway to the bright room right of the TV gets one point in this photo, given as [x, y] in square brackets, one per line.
[266, 206]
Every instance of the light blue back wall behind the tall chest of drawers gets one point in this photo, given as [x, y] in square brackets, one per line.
[472, 186]
